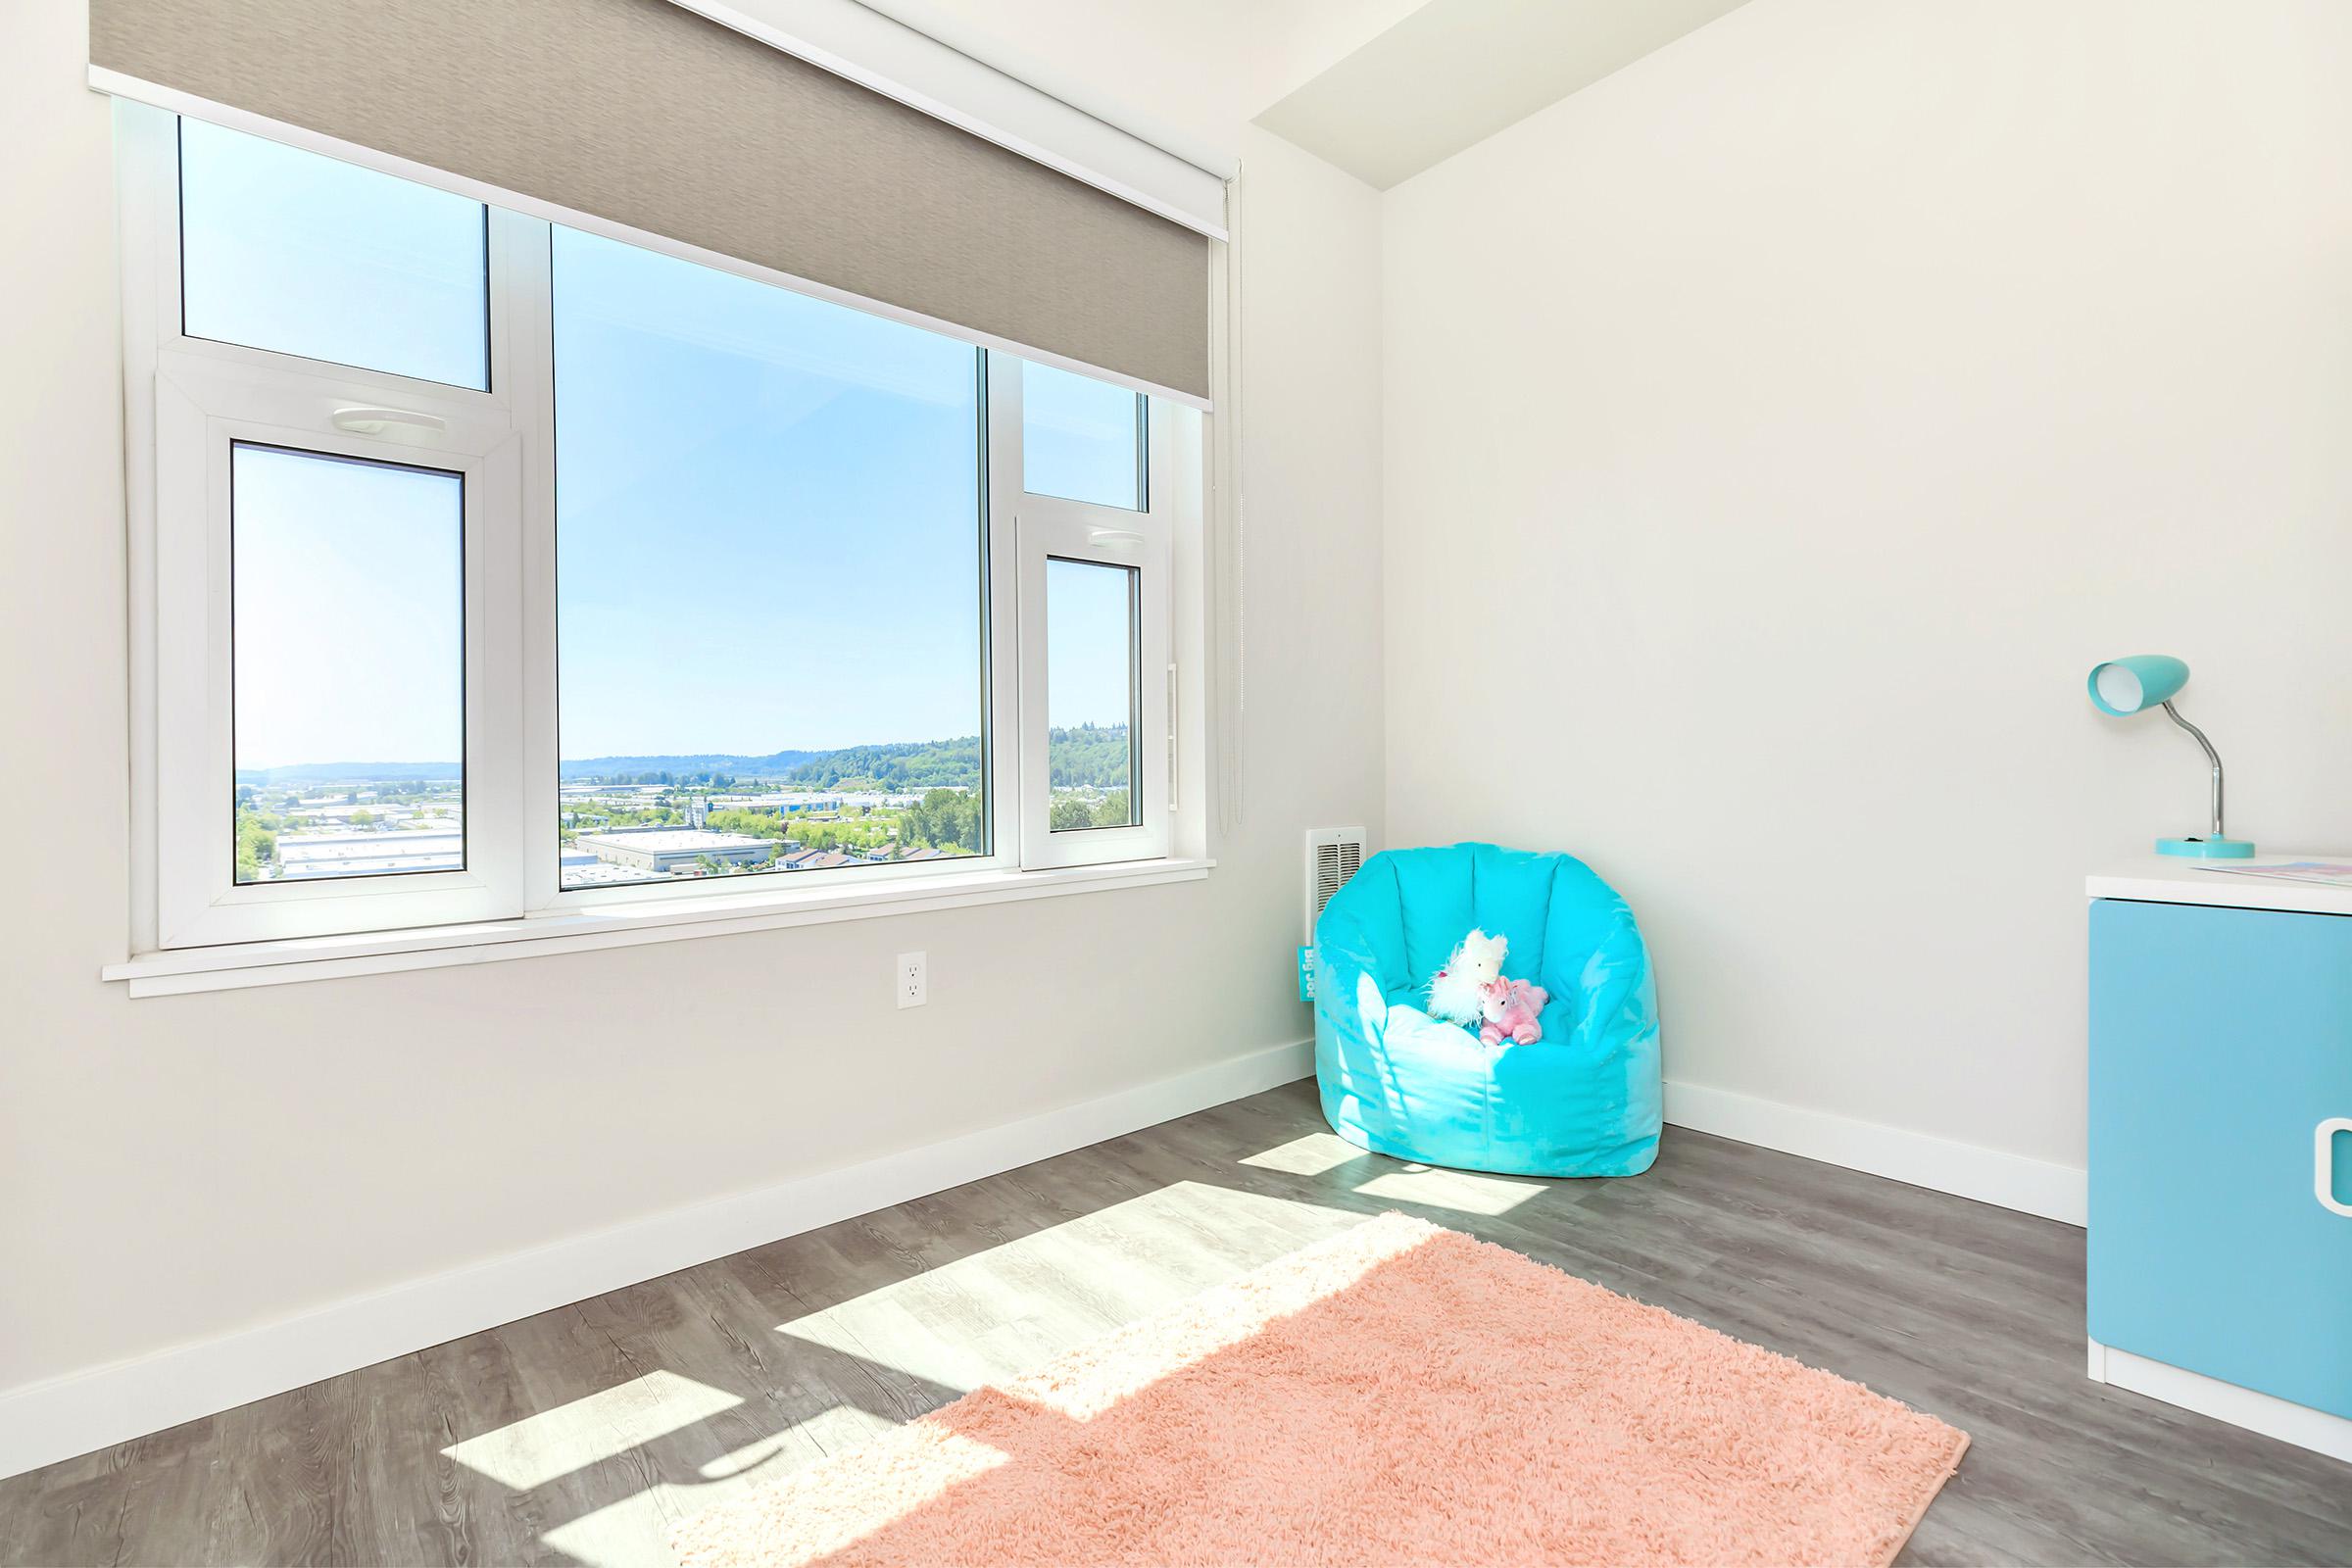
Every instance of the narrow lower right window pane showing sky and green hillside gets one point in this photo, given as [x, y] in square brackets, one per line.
[1090, 695]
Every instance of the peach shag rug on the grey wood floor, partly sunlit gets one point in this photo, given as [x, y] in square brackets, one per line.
[1396, 1395]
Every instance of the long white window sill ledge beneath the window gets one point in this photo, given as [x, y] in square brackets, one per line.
[323, 958]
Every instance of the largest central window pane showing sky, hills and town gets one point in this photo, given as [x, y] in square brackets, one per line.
[770, 568]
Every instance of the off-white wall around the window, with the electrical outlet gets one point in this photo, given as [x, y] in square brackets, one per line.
[182, 1167]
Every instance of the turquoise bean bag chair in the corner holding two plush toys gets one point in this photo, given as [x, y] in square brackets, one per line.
[1582, 1101]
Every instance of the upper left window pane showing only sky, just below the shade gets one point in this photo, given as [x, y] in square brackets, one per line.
[314, 257]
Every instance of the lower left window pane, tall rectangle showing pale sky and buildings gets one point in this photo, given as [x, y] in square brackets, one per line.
[349, 645]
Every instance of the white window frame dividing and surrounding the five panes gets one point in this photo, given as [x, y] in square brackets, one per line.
[189, 398]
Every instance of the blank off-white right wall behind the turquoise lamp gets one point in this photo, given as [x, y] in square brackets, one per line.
[1782, 429]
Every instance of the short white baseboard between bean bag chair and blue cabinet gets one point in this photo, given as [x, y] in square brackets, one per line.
[1965, 1170]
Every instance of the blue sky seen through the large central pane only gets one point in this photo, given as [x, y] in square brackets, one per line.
[768, 516]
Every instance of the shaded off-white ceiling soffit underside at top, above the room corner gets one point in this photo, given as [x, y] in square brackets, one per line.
[1457, 72]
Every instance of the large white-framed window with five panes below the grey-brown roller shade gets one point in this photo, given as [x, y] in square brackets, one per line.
[505, 568]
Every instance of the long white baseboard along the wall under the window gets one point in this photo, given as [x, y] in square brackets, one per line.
[112, 1405]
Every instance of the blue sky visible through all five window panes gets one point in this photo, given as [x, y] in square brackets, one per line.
[768, 507]
